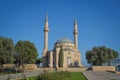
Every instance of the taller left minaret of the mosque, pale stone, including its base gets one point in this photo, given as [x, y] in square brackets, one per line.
[46, 29]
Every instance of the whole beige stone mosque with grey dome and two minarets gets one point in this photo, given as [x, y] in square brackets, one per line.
[71, 54]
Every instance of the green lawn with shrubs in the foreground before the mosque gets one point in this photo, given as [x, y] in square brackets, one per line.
[58, 76]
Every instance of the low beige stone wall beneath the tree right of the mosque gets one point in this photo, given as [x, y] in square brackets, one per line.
[103, 68]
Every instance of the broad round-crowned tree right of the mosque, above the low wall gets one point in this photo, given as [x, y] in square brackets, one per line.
[100, 55]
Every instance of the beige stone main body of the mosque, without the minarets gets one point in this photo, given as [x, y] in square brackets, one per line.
[71, 54]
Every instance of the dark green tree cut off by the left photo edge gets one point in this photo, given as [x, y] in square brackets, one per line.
[6, 50]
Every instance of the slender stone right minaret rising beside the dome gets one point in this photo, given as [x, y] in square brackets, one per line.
[75, 32]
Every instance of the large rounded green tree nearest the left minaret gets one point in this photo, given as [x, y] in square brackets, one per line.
[25, 52]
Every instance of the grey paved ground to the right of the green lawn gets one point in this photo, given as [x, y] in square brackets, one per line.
[92, 75]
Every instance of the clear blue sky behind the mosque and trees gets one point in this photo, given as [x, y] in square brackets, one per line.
[98, 22]
